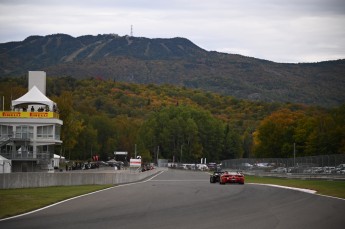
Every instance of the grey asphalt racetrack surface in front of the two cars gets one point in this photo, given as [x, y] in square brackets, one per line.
[184, 199]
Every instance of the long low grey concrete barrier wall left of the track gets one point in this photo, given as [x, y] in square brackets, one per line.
[34, 179]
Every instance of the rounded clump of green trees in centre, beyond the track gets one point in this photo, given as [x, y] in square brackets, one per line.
[183, 133]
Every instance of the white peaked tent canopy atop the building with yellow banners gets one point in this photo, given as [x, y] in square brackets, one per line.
[33, 97]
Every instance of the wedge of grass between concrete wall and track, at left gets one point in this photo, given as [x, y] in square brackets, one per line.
[18, 201]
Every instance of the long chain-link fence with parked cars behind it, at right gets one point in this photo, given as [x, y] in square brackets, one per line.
[323, 164]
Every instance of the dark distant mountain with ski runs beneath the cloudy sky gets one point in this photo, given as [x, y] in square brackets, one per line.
[175, 61]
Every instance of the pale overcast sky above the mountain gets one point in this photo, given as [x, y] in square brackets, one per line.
[278, 30]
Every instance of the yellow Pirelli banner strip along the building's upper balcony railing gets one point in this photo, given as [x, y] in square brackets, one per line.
[28, 114]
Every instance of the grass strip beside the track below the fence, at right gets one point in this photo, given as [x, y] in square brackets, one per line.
[324, 187]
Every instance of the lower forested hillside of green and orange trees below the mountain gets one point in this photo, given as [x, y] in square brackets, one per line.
[103, 116]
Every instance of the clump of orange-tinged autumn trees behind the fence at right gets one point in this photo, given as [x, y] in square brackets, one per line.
[314, 132]
